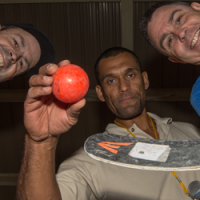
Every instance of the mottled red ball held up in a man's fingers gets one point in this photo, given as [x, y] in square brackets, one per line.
[70, 83]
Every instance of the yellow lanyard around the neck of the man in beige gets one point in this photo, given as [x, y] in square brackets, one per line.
[156, 136]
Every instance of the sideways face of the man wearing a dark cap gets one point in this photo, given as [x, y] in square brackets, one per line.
[19, 52]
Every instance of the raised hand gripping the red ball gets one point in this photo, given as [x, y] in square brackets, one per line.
[44, 115]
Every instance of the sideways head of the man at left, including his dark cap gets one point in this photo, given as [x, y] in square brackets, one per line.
[23, 48]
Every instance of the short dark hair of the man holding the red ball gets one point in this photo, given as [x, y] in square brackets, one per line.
[114, 51]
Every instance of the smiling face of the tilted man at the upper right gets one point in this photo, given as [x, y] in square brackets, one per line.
[174, 30]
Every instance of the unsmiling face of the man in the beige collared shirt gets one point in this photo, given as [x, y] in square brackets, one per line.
[122, 85]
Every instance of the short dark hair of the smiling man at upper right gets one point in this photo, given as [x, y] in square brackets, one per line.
[149, 13]
